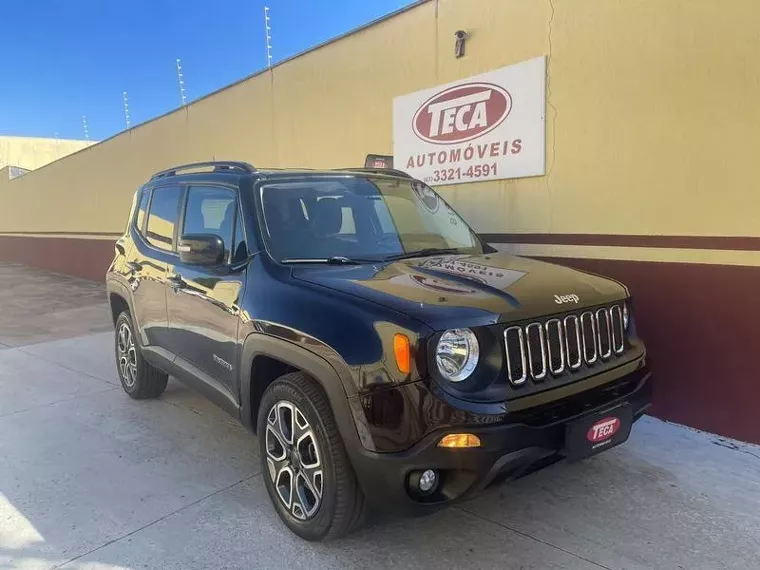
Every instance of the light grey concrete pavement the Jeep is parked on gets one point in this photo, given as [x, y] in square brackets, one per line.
[90, 479]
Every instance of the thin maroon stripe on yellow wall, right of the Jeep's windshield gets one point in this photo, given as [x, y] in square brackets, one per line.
[742, 243]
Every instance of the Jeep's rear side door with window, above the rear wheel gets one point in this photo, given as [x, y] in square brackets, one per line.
[154, 239]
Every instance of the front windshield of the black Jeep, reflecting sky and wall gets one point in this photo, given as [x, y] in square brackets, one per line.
[359, 219]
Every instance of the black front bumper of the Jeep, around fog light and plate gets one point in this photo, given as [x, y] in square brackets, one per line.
[525, 441]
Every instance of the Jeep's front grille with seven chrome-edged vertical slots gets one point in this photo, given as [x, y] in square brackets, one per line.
[558, 345]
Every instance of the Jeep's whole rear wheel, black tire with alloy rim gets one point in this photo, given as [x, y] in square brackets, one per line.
[138, 378]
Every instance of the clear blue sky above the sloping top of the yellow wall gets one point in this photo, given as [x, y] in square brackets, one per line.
[63, 59]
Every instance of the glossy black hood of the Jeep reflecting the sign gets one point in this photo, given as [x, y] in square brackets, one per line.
[468, 290]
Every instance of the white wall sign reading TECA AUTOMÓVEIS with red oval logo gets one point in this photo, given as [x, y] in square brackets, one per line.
[485, 127]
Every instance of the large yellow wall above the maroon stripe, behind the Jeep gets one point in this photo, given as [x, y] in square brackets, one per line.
[651, 126]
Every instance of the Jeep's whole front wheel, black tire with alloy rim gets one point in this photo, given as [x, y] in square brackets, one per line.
[341, 507]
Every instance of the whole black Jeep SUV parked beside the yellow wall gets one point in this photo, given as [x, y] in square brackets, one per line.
[383, 354]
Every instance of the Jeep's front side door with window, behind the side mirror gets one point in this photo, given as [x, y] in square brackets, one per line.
[203, 303]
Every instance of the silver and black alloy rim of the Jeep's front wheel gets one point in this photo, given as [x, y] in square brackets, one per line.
[293, 460]
